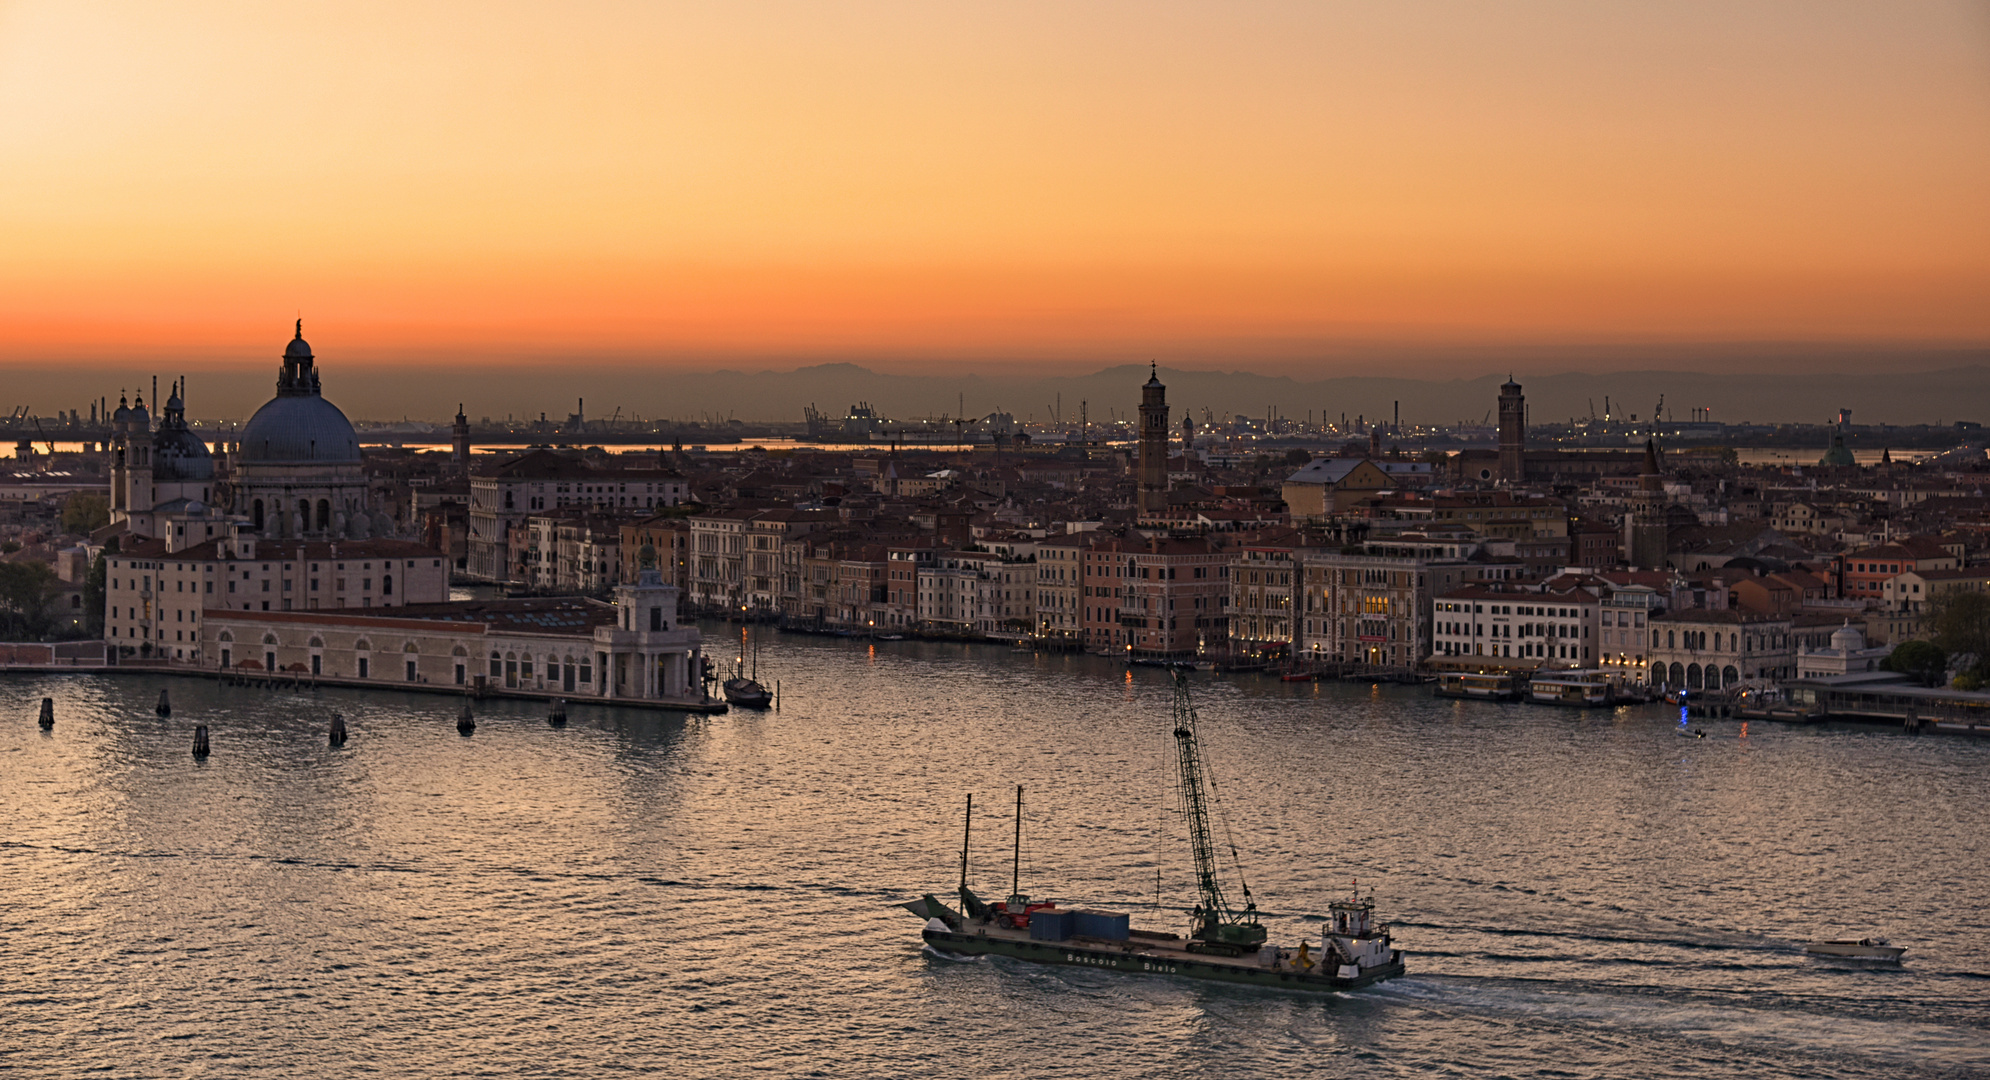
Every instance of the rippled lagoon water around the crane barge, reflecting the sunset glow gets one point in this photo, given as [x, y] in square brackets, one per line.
[1581, 894]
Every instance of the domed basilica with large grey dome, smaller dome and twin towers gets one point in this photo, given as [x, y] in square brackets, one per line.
[296, 472]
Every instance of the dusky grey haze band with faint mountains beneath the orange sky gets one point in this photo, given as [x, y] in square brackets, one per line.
[1949, 387]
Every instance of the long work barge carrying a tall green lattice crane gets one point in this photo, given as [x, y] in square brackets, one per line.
[1223, 944]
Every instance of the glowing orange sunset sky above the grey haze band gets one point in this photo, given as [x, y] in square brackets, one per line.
[1253, 184]
